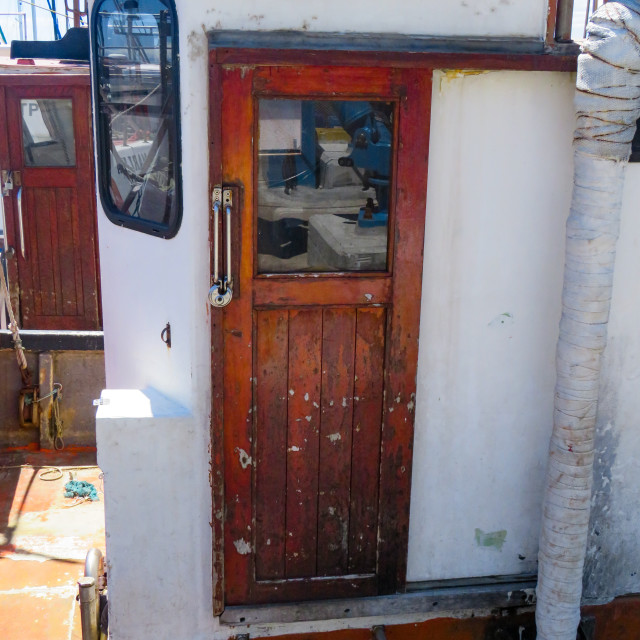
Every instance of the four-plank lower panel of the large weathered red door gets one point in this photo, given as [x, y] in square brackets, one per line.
[315, 514]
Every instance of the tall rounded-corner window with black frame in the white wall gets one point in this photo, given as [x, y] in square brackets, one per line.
[136, 84]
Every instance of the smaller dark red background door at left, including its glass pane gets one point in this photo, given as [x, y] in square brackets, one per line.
[51, 215]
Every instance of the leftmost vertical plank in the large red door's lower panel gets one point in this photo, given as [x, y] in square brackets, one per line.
[270, 369]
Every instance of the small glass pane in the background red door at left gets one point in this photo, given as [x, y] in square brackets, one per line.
[47, 132]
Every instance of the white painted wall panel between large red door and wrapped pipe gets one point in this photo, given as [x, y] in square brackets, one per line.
[500, 174]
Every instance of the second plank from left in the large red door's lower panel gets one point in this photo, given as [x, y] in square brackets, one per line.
[305, 361]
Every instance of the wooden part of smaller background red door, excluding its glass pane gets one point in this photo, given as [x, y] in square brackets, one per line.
[57, 282]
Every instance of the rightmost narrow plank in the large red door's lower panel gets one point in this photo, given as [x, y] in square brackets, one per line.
[367, 417]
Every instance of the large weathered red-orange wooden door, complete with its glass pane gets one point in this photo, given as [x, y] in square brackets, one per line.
[323, 176]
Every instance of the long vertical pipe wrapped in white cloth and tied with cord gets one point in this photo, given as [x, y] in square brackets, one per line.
[607, 106]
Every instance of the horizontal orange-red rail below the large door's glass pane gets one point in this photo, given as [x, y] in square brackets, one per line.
[313, 291]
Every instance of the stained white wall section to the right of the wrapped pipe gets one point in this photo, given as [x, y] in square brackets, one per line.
[614, 545]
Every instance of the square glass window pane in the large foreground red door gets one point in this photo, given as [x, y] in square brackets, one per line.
[323, 185]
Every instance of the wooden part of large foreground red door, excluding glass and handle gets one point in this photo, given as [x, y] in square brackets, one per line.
[315, 373]
